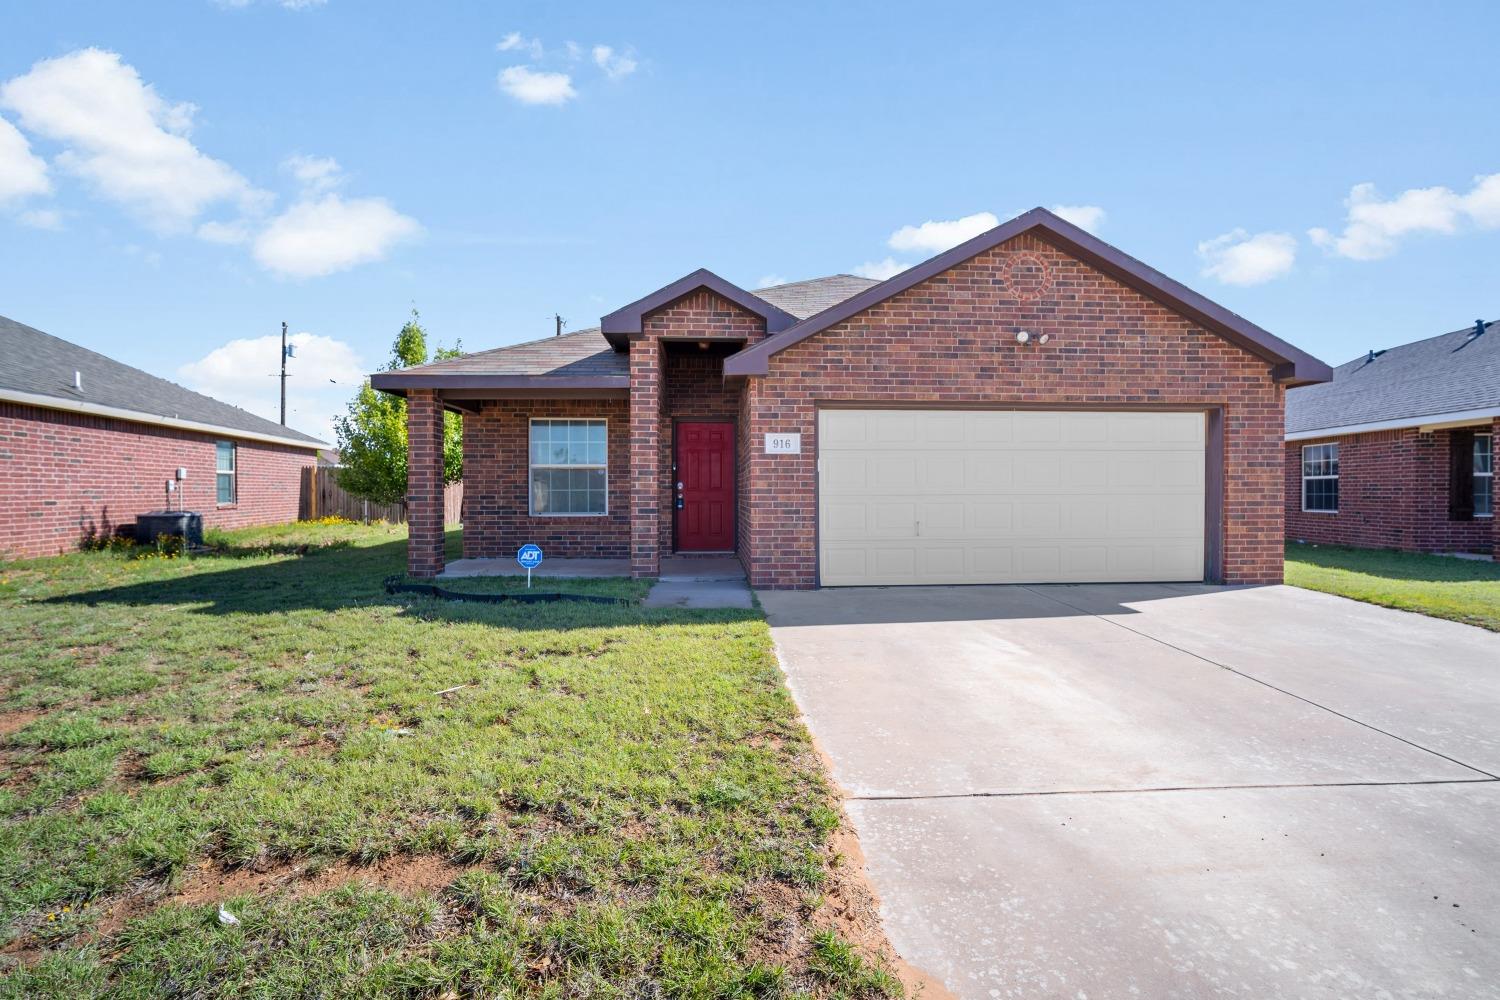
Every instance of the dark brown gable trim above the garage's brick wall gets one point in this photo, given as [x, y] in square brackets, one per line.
[1291, 365]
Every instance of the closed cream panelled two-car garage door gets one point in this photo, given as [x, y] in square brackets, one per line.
[1009, 497]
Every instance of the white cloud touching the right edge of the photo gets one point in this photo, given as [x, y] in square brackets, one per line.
[1375, 226]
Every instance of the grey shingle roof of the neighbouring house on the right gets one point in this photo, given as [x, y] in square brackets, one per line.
[1445, 379]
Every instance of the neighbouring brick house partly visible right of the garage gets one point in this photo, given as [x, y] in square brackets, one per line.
[1399, 451]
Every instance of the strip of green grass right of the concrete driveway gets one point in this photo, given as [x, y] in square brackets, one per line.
[1442, 587]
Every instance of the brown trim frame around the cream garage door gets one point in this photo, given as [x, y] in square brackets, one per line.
[1213, 458]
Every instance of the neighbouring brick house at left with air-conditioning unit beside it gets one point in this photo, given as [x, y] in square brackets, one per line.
[88, 443]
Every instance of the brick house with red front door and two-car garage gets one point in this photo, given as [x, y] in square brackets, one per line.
[1031, 406]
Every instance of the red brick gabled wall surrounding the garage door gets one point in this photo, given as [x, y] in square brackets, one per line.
[952, 341]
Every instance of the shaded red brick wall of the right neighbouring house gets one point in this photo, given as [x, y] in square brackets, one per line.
[1393, 494]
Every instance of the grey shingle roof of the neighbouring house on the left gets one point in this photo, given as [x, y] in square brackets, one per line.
[37, 370]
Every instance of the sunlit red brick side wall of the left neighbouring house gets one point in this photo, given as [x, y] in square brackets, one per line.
[64, 475]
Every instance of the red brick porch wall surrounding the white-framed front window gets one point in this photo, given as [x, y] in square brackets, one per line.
[497, 513]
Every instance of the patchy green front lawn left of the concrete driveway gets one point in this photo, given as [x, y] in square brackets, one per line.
[400, 795]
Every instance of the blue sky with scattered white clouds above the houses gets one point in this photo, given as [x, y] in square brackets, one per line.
[179, 179]
